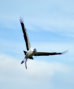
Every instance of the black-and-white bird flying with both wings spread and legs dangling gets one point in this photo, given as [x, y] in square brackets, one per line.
[33, 52]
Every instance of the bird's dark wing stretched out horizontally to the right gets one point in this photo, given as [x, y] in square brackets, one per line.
[48, 53]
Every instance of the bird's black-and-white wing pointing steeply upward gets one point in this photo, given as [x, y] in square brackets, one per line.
[25, 35]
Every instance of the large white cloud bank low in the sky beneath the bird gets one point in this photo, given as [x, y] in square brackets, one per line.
[39, 73]
